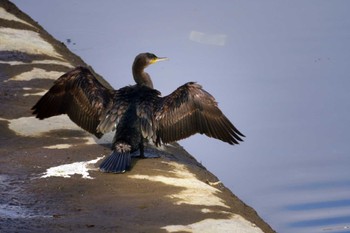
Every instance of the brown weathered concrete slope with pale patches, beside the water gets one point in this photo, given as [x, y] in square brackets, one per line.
[173, 193]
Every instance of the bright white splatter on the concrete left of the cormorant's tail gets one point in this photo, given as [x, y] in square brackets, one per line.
[68, 170]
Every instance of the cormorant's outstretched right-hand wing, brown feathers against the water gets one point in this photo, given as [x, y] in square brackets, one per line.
[189, 110]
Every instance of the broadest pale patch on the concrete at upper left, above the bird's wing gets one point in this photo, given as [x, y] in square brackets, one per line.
[25, 41]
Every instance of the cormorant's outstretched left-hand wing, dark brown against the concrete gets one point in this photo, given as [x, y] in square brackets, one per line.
[78, 94]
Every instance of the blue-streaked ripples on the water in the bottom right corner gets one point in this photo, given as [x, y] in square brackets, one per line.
[329, 212]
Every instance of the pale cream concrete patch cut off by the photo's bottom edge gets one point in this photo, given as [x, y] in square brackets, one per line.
[234, 224]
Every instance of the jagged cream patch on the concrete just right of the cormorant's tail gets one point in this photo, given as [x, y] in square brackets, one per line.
[195, 191]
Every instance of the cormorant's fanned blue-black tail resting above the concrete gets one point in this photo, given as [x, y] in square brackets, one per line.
[116, 163]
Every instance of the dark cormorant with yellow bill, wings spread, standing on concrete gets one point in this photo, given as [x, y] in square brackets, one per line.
[136, 112]
